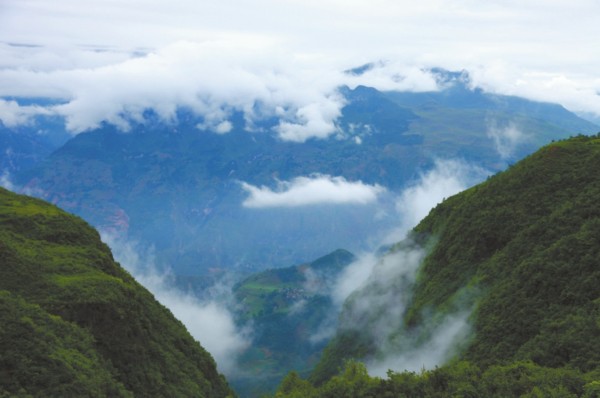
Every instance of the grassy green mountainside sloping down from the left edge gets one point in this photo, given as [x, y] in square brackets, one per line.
[74, 323]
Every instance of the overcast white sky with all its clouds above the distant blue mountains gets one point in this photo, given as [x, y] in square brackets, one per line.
[215, 56]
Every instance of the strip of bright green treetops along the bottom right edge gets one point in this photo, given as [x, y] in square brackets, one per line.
[461, 379]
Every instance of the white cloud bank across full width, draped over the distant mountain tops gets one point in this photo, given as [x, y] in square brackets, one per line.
[217, 78]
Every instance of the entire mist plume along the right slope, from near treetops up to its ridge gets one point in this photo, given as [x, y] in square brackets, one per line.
[372, 294]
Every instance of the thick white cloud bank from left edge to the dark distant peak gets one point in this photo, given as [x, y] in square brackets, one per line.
[212, 79]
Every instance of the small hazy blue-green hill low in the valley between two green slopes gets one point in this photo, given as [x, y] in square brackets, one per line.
[288, 308]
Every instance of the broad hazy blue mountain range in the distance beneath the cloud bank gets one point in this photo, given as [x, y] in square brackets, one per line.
[179, 189]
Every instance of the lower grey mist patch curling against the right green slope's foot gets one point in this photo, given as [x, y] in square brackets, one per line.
[378, 307]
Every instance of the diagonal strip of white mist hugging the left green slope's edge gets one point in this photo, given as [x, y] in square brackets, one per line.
[208, 321]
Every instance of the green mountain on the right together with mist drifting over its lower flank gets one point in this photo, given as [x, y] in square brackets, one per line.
[516, 259]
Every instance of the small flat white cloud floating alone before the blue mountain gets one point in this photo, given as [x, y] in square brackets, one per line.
[313, 190]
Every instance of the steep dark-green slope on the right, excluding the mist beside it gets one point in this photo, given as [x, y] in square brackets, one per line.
[526, 245]
